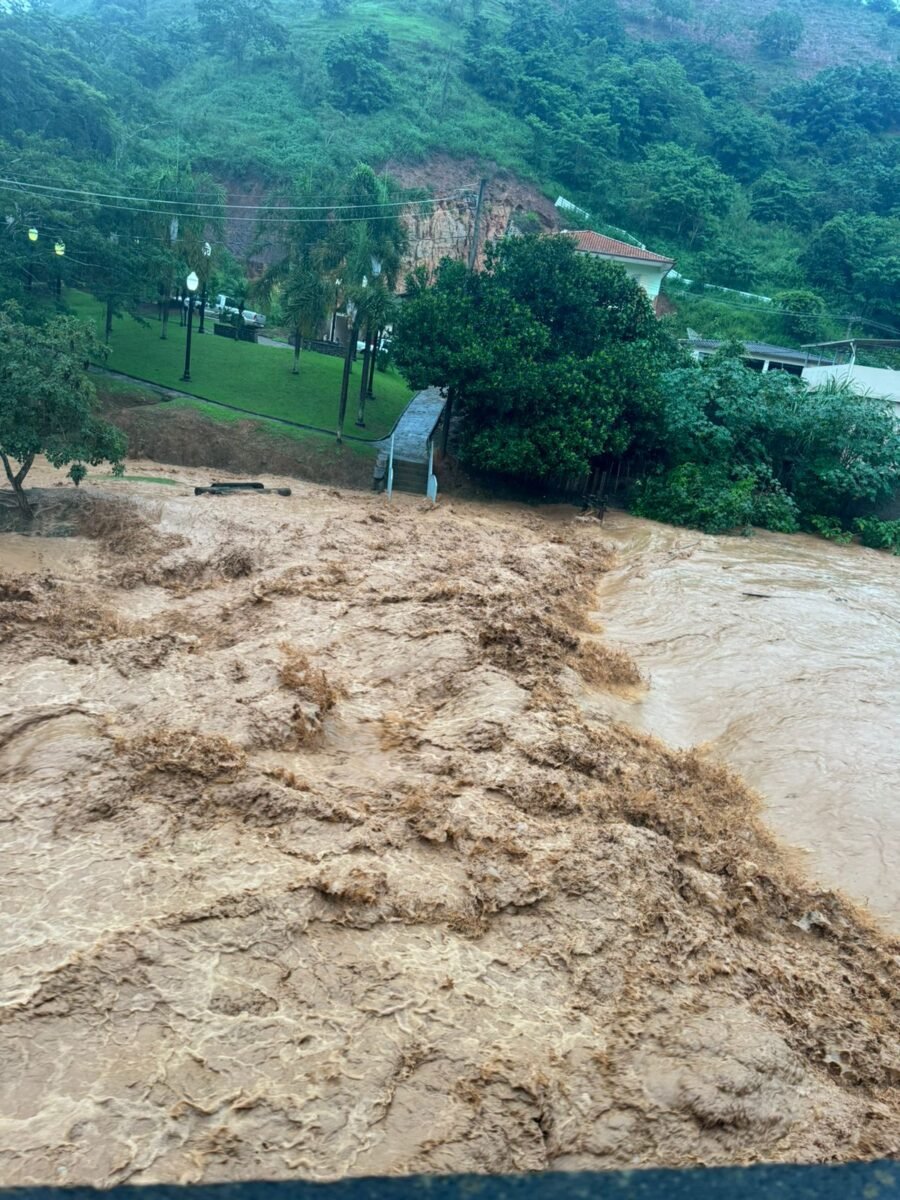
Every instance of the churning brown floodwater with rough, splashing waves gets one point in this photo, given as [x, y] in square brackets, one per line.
[314, 865]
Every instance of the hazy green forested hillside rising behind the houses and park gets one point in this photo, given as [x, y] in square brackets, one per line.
[757, 145]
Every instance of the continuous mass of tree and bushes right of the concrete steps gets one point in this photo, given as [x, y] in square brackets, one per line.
[557, 367]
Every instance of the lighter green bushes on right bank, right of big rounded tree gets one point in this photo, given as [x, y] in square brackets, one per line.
[740, 448]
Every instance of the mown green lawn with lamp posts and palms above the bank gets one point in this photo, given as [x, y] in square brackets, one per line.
[254, 377]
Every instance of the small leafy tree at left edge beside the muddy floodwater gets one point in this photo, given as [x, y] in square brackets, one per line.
[47, 401]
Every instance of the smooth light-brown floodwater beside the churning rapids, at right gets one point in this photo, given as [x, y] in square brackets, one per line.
[782, 655]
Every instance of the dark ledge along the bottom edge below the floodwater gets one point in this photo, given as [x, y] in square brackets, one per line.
[850, 1181]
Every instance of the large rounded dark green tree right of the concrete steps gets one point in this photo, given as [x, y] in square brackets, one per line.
[550, 356]
